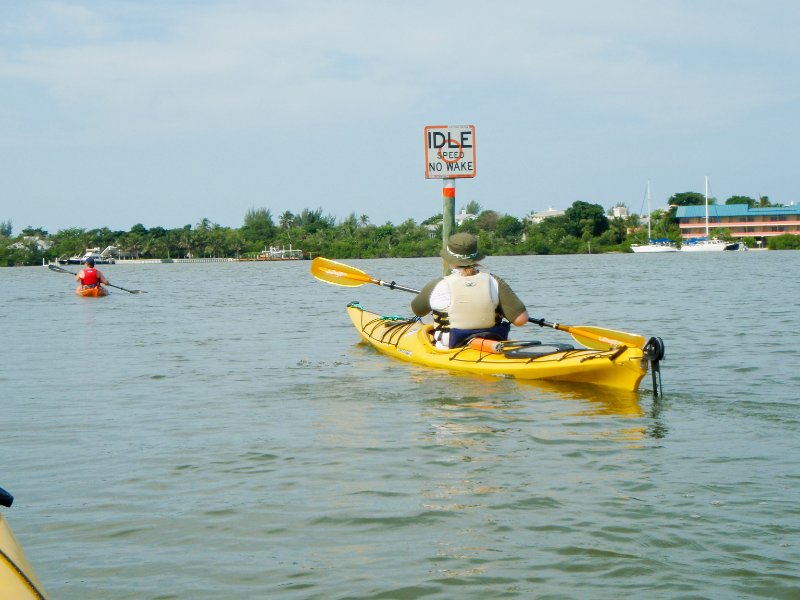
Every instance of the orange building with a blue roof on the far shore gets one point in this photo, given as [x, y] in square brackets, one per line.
[741, 220]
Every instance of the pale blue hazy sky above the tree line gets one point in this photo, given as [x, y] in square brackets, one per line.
[115, 113]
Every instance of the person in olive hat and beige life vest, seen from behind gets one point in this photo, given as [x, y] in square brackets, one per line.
[468, 301]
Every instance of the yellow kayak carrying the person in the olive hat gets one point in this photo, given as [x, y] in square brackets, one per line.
[410, 340]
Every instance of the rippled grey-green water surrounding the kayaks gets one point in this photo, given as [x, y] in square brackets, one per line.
[224, 436]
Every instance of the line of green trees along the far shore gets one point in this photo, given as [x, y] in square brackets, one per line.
[583, 228]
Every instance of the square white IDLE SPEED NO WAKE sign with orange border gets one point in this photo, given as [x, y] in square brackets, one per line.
[449, 151]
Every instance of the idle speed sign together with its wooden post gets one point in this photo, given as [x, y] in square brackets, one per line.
[449, 155]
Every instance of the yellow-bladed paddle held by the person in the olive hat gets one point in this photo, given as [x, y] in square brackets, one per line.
[596, 338]
